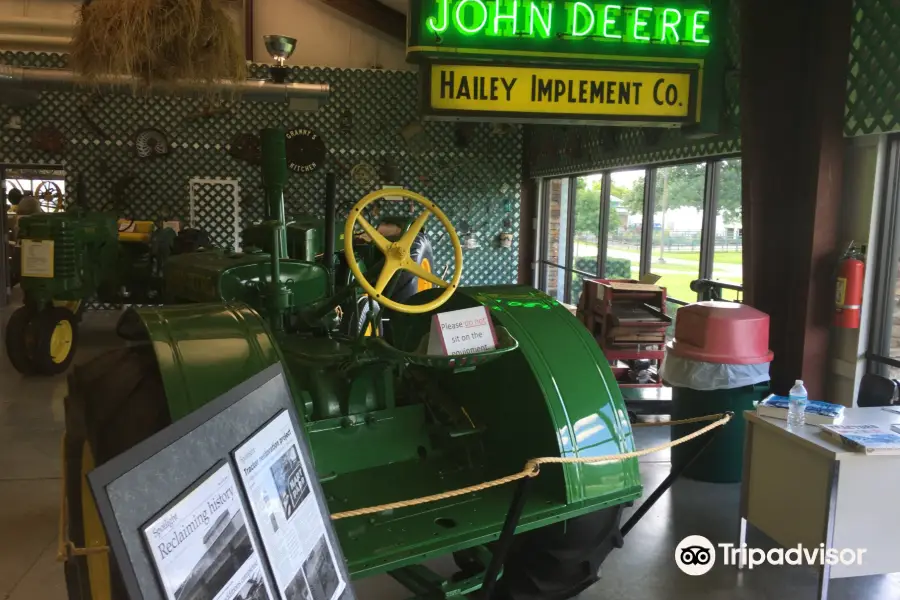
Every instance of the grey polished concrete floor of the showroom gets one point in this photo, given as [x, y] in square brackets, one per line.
[31, 422]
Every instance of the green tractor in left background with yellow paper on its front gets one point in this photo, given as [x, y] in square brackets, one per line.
[67, 258]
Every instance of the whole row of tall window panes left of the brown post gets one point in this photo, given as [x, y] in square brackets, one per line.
[678, 222]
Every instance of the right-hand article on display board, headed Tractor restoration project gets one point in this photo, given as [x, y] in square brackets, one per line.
[291, 525]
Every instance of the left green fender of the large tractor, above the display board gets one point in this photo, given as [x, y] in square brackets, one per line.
[204, 350]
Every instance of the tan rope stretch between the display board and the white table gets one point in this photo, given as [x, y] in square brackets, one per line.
[533, 468]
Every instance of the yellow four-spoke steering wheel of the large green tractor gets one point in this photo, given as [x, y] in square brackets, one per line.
[397, 254]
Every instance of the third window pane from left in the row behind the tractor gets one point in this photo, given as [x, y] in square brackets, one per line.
[625, 225]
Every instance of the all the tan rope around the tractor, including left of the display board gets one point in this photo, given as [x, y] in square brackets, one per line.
[532, 469]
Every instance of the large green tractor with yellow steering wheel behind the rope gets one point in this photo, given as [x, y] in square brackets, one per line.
[385, 421]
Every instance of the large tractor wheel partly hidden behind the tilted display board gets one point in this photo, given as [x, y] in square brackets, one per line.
[115, 401]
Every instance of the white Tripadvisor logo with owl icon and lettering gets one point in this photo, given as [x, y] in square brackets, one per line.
[696, 555]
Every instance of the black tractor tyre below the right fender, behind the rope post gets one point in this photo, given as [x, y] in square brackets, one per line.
[560, 561]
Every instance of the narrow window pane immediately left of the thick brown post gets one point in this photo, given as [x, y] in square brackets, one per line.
[728, 251]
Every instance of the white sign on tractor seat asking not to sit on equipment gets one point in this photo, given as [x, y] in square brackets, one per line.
[463, 331]
